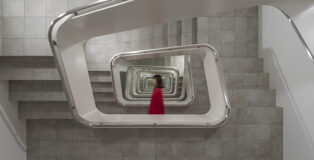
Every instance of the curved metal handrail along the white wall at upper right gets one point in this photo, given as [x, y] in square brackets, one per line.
[307, 49]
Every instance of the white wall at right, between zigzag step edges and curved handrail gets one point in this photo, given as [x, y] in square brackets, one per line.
[292, 75]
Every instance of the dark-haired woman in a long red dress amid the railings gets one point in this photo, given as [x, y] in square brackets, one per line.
[157, 102]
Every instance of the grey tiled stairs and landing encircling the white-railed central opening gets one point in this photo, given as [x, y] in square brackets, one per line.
[254, 130]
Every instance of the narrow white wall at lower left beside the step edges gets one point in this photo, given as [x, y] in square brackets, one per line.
[12, 130]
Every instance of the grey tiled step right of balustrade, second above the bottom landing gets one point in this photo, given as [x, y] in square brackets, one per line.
[247, 80]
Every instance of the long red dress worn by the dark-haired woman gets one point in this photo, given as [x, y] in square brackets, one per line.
[156, 102]
